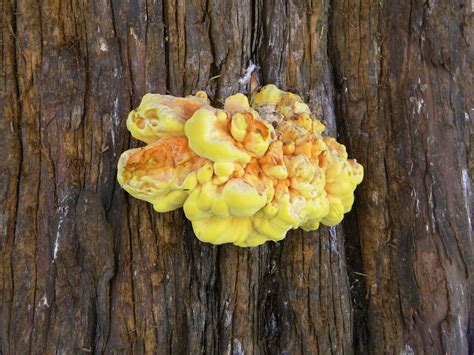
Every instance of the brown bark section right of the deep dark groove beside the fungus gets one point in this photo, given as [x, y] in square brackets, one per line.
[403, 75]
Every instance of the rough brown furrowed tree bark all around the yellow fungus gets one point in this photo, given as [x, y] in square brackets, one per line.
[84, 268]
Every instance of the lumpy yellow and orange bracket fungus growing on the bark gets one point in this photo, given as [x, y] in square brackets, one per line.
[244, 174]
